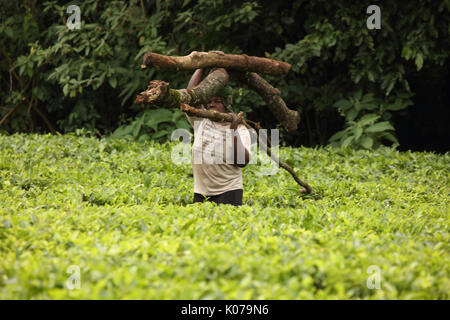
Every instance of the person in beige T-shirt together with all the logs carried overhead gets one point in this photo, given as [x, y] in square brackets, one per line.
[244, 69]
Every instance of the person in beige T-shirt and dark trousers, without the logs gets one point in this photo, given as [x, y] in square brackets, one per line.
[219, 152]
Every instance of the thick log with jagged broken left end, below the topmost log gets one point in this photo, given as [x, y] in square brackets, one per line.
[160, 94]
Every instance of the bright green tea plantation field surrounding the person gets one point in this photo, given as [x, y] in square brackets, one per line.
[121, 213]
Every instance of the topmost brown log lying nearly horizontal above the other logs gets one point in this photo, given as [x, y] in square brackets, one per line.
[197, 60]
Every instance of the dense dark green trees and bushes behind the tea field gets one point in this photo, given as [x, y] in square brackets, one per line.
[351, 84]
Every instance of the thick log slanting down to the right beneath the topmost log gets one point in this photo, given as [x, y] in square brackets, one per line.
[289, 119]
